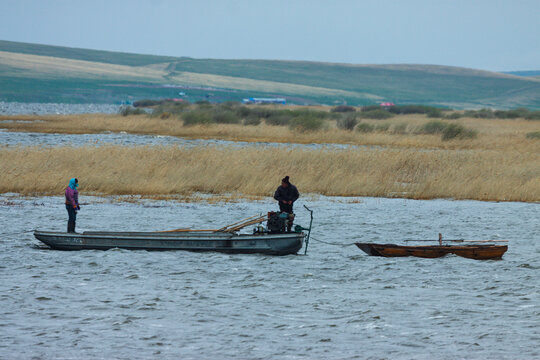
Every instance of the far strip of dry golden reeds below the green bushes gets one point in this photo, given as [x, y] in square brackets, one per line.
[493, 134]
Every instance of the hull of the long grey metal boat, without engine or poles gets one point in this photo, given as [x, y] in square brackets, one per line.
[272, 244]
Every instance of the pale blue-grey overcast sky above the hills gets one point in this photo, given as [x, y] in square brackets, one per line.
[496, 35]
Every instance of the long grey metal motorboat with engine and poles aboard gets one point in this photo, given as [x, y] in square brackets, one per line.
[274, 239]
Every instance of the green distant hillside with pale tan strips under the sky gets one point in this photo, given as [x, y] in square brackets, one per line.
[42, 73]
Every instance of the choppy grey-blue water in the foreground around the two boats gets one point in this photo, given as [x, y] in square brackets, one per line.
[334, 303]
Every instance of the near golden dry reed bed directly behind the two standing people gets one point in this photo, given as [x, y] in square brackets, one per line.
[494, 175]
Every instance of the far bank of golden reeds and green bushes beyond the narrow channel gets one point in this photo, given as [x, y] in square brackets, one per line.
[407, 125]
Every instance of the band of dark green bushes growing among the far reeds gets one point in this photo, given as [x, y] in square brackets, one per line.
[312, 119]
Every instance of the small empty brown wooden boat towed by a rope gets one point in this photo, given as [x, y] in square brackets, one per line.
[478, 252]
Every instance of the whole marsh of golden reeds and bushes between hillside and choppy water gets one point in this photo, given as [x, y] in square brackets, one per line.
[409, 155]
